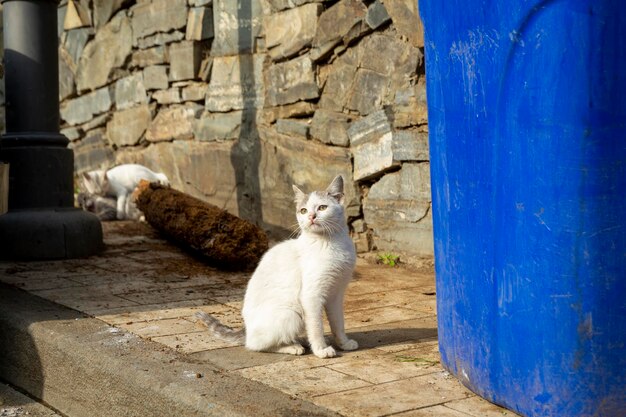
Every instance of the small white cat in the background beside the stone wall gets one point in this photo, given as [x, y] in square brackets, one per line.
[120, 182]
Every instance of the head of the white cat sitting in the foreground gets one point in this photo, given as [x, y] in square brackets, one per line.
[321, 212]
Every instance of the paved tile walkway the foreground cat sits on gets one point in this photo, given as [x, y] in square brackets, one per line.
[152, 289]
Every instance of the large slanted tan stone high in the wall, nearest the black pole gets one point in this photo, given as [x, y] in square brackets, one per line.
[107, 51]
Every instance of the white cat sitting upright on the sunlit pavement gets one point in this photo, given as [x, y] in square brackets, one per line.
[297, 280]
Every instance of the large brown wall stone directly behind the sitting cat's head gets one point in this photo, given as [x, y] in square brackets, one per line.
[308, 164]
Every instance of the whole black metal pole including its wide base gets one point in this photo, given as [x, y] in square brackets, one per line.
[42, 222]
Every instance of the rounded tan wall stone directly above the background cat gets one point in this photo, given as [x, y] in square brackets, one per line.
[128, 126]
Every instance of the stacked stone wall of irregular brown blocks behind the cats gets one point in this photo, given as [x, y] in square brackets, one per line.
[235, 100]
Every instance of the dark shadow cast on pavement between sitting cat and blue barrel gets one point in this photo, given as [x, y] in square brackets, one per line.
[375, 338]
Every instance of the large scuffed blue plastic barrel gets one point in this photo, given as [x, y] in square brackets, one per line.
[527, 120]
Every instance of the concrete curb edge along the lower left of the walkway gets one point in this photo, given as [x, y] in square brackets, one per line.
[83, 367]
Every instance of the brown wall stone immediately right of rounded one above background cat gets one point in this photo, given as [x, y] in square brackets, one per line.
[173, 123]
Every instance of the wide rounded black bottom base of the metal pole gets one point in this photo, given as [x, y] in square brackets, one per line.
[49, 234]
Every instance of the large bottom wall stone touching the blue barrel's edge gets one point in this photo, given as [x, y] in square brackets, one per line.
[397, 209]
